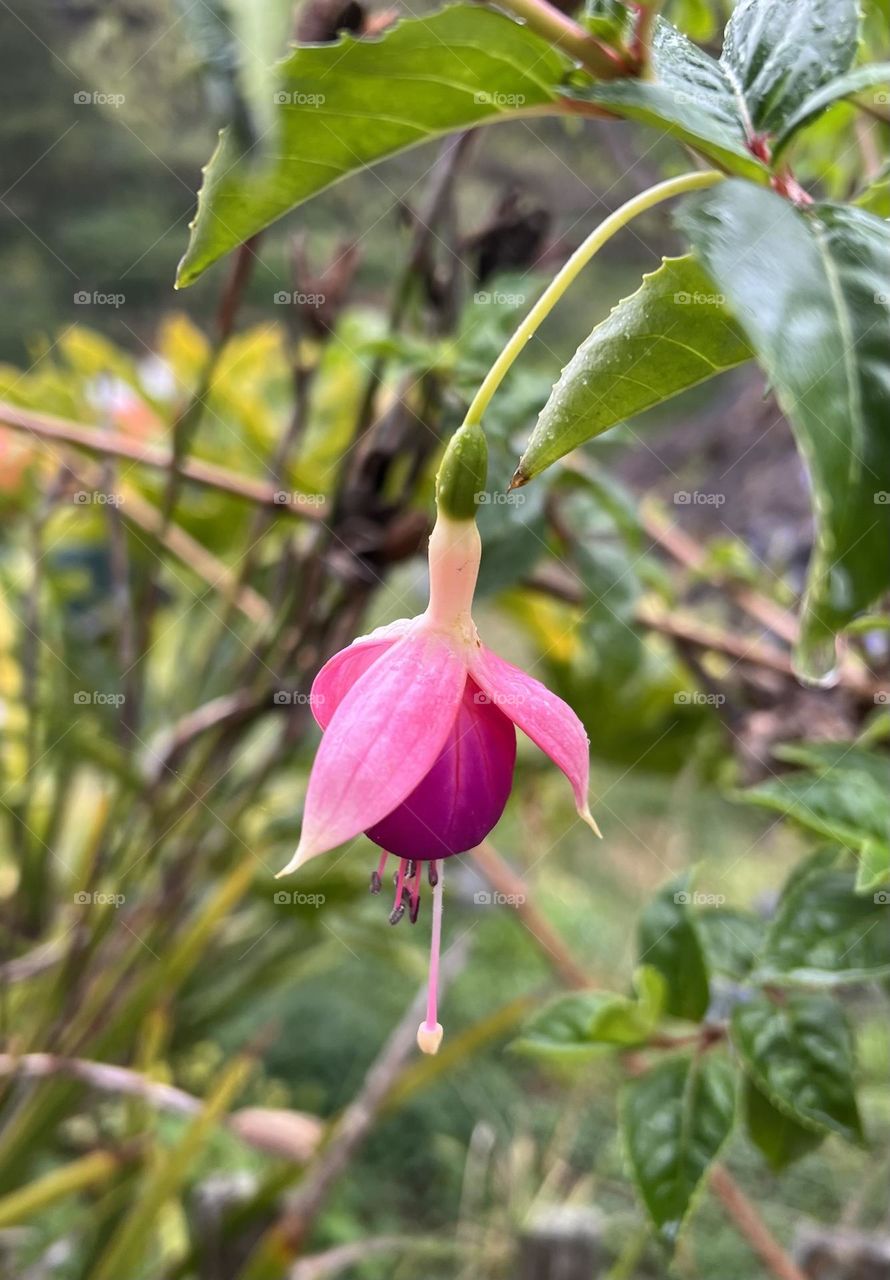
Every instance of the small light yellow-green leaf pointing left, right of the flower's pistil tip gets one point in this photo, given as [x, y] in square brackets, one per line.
[574, 1027]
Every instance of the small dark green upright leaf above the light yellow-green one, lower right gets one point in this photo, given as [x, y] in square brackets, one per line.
[669, 941]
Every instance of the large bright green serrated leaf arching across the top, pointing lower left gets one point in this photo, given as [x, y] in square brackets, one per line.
[346, 106]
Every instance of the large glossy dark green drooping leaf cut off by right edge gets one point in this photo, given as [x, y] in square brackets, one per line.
[810, 291]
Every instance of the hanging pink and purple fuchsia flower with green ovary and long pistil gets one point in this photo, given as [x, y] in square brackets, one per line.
[421, 724]
